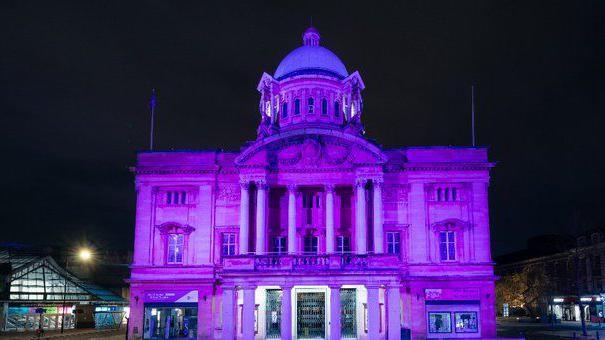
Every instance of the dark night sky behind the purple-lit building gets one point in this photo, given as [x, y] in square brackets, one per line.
[75, 79]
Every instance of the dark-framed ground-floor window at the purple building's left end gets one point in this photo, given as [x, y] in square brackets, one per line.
[170, 321]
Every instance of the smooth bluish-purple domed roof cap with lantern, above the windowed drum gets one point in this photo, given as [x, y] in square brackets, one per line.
[311, 59]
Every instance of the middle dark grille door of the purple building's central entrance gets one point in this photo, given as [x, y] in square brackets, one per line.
[311, 315]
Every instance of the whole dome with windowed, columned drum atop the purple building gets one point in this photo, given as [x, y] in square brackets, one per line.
[310, 87]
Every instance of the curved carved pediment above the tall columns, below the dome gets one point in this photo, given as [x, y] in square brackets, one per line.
[311, 151]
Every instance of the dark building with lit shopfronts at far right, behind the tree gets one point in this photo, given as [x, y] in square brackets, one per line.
[574, 269]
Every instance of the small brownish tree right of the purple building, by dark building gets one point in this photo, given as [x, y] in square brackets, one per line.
[524, 289]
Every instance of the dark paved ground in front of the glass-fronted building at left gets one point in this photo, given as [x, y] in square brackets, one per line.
[72, 334]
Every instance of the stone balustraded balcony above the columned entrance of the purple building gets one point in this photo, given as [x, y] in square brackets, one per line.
[312, 262]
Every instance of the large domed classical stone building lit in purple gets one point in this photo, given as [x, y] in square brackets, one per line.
[313, 230]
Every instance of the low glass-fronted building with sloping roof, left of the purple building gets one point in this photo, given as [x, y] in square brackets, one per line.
[36, 292]
